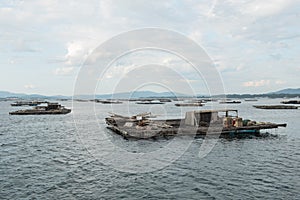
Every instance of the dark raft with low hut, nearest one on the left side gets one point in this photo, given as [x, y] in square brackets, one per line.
[49, 109]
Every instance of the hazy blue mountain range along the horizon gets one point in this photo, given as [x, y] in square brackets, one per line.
[142, 94]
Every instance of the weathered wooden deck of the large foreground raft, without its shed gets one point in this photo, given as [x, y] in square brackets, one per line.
[165, 128]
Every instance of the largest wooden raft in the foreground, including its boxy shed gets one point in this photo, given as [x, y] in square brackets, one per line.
[213, 122]
